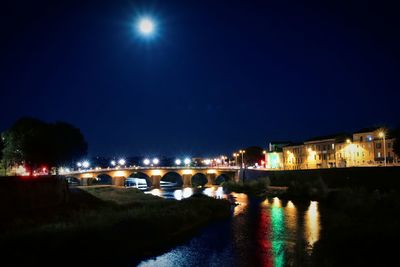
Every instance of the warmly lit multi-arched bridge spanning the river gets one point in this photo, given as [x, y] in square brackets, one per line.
[154, 177]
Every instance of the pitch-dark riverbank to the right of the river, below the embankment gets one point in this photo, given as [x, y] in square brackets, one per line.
[361, 228]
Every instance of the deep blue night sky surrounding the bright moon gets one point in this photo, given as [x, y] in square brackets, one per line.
[216, 77]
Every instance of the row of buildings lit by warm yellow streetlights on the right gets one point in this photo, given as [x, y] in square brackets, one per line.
[367, 147]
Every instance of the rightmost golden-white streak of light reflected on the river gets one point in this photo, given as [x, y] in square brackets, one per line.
[312, 224]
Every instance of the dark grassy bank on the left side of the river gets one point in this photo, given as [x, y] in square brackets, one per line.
[106, 226]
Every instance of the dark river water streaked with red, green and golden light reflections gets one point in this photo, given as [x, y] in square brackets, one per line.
[272, 232]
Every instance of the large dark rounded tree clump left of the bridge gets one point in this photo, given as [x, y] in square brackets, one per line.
[37, 143]
